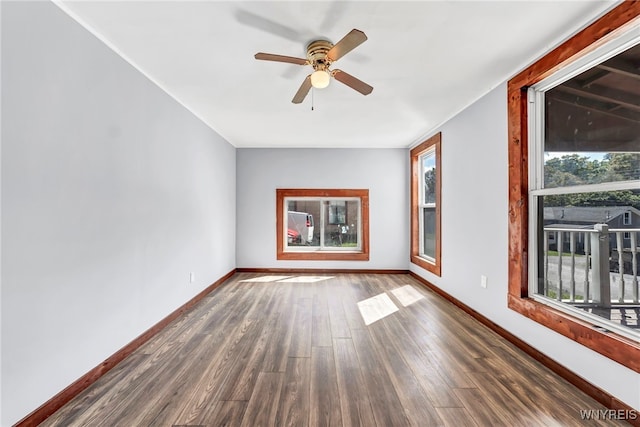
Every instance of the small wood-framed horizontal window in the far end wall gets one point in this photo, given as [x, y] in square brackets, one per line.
[322, 224]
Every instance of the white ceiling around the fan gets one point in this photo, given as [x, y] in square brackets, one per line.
[427, 60]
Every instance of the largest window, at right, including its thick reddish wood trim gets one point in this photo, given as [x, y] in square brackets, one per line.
[574, 171]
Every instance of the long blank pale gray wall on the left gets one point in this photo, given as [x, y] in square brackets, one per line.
[112, 193]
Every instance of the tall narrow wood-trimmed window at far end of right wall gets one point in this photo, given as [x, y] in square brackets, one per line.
[425, 204]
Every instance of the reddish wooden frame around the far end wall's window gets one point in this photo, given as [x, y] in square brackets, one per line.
[322, 255]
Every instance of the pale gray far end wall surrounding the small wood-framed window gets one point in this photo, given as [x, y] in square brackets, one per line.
[385, 172]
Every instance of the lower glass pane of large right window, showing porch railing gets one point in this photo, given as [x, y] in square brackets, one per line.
[566, 251]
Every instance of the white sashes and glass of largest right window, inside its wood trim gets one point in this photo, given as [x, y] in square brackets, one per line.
[585, 170]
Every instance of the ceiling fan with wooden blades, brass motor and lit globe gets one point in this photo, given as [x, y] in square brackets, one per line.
[320, 55]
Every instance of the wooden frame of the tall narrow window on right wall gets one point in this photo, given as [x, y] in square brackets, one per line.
[435, 266]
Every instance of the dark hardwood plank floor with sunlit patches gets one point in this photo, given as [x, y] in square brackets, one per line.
[300, 354]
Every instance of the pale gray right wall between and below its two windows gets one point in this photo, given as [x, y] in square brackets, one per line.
[475, 242]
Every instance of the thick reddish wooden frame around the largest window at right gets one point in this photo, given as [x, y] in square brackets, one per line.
[618, 348]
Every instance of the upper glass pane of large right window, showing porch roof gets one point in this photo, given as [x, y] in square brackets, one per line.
[591, 125]
